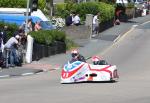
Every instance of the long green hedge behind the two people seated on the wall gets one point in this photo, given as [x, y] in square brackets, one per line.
[107, 11]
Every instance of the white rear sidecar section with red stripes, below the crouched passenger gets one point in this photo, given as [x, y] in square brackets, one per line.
[101, 73]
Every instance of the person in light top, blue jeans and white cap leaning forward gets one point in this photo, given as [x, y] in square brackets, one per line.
[11, 47]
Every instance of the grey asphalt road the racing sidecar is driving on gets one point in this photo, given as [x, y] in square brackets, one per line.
[130, 54]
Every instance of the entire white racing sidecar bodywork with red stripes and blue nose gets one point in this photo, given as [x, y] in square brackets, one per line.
[80, 71]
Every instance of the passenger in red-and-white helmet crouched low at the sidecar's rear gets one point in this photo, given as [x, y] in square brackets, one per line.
[98, 61]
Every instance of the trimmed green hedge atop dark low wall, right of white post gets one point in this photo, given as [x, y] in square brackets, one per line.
[47, 37]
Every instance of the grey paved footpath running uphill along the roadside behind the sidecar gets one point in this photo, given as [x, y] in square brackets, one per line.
[88, 47]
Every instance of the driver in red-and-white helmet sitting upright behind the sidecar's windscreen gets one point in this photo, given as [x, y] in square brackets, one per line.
[76, 56]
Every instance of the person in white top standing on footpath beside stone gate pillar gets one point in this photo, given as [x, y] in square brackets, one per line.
[95, 24]
